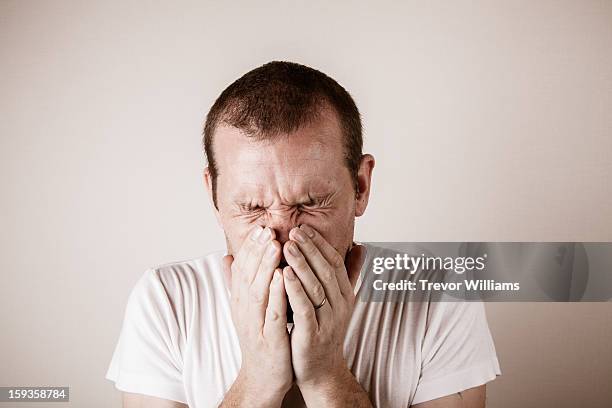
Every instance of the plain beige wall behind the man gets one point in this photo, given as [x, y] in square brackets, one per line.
[489, 121]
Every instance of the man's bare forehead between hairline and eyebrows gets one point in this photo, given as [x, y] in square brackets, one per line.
[312, 157]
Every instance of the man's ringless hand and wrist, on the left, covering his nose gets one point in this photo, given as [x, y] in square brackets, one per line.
[259, 311]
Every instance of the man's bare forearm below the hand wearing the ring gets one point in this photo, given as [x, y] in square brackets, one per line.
[340, 390]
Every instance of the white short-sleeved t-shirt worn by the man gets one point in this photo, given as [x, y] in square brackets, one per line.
[178, 342]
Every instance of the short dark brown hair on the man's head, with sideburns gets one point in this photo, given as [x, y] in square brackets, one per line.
[280, 97]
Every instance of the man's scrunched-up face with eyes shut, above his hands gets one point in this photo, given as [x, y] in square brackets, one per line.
[299, 178]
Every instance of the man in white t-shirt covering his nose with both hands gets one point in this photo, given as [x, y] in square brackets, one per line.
[286, 177]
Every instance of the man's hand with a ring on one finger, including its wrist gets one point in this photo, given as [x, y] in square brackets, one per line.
[321, 296]
